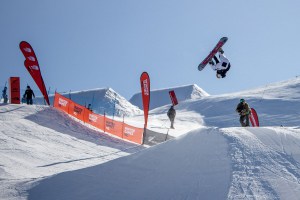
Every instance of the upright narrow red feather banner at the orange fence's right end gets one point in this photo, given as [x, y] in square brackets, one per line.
[145, 86]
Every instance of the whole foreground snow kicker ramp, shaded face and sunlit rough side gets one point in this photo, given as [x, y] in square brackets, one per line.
[228, 163]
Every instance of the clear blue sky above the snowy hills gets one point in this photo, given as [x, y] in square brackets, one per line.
[95, 44]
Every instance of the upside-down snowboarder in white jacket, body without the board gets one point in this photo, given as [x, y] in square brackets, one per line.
[221, 64]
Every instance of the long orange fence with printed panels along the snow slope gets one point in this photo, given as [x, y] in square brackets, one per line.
[119, 129]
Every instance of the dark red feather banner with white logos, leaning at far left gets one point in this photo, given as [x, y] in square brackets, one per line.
[32, 65]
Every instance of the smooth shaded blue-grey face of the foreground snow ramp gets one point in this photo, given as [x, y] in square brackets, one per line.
[188, 167]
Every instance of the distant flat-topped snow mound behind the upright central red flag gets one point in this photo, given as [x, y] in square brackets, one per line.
[161, 97]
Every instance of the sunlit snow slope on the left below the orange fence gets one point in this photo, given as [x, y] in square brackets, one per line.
[38, 141]
